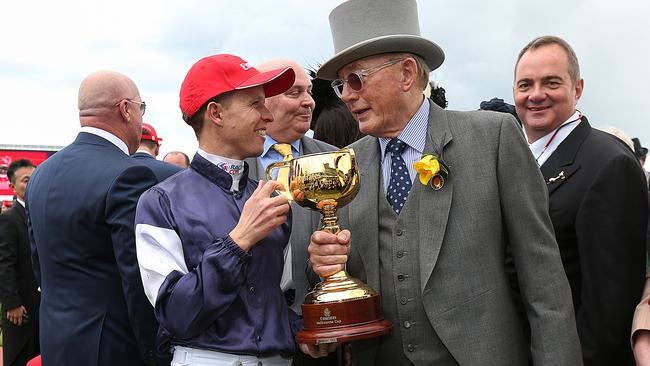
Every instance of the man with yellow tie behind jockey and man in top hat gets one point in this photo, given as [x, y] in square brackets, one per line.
[292, 113]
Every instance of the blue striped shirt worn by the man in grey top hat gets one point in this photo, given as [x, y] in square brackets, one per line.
[415, 136]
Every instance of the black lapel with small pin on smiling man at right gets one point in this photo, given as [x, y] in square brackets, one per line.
[561, 165]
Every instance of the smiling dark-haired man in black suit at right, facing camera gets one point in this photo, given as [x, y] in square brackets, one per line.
[597, 198]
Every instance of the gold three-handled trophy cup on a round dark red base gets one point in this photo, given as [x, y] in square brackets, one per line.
[340, 308]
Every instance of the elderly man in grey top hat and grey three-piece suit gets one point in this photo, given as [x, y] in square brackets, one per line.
[443, 195]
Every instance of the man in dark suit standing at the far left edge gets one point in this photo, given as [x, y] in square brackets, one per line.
[18, 290]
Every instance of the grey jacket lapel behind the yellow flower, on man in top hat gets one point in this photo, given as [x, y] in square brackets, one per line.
[431, 208]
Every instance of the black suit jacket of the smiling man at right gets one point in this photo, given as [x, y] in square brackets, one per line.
[599, 207]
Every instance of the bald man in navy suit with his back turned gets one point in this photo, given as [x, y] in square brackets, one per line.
[81, 208]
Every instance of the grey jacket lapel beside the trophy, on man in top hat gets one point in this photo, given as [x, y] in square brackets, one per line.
[364, 208]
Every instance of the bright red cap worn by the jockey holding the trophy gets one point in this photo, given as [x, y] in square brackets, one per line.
[214, 75]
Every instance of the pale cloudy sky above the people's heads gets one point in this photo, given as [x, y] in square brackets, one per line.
[47, 48]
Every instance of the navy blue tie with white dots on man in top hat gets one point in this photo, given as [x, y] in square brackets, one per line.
[400, 180]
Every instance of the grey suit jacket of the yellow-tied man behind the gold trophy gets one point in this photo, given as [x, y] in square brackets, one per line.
[304, 222]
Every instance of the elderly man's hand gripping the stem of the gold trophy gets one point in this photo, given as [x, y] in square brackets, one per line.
[328, 252]
